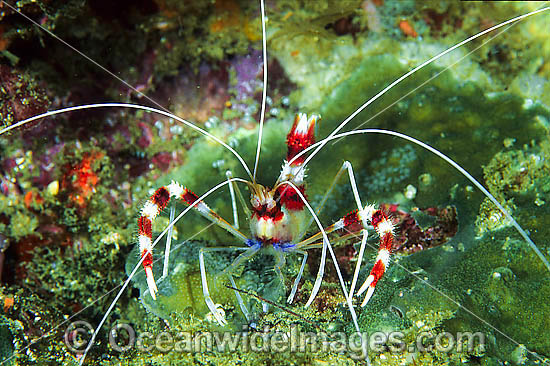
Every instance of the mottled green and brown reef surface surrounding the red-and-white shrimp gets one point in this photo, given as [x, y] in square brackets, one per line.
[72, 186]
